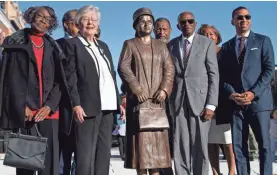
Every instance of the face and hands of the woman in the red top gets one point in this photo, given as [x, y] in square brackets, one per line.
[39, 25]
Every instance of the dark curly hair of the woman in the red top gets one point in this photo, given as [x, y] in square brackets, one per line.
[29, 16]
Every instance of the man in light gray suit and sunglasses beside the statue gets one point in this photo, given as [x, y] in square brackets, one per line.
[194, 96]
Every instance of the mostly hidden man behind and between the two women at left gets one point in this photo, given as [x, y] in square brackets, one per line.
[67, 142]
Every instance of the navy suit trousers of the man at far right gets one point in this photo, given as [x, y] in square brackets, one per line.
[260, 124]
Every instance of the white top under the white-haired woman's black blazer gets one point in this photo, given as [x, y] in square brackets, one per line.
[106, 82]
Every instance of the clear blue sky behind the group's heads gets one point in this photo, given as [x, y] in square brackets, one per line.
[117, 18]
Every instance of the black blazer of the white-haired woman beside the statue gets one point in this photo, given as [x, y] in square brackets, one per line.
[82, 79]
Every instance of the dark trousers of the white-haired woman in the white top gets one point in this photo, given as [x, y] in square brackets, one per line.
[94, 139]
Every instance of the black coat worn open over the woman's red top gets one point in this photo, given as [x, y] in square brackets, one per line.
[19, 83]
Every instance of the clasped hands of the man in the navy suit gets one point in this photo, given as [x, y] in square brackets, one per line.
[242, 99]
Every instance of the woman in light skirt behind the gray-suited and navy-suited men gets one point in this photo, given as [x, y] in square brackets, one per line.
[220, 131]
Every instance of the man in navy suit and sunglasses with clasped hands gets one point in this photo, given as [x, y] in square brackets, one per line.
[246, 70]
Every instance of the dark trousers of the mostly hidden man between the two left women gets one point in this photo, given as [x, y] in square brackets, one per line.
[67, 147]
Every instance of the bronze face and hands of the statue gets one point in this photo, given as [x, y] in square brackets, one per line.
[144, 29]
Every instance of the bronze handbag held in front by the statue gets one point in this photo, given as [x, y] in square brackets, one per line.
[151, 119]
